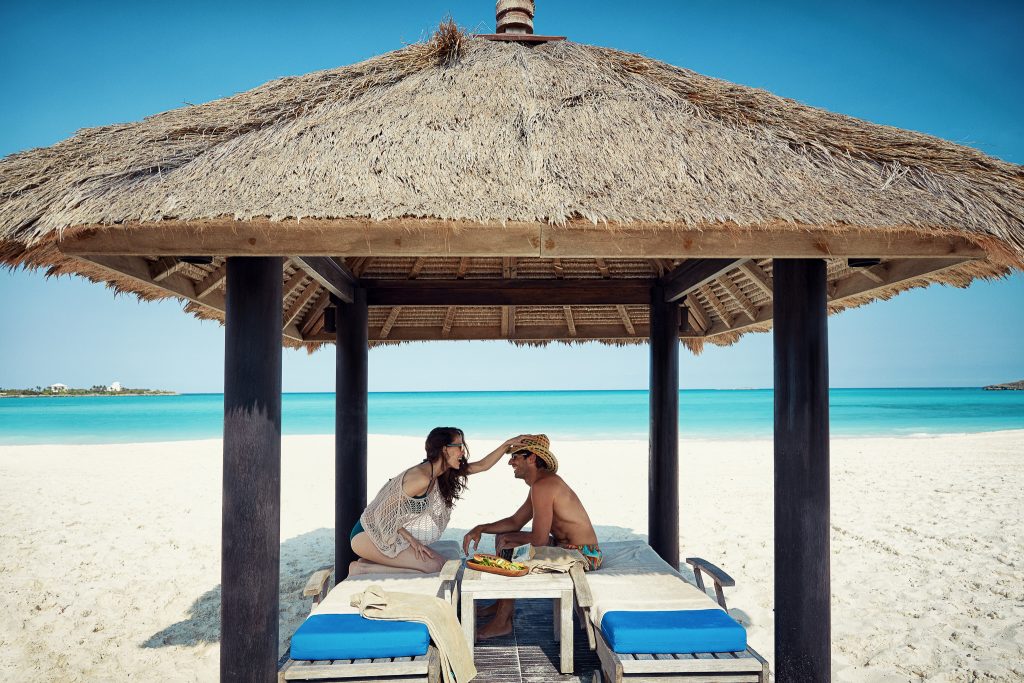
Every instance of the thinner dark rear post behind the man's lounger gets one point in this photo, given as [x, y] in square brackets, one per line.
[663, 487]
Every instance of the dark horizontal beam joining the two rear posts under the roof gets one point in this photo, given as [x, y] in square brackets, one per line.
[513, 292]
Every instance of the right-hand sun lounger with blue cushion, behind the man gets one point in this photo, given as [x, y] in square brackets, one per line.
[648, 622]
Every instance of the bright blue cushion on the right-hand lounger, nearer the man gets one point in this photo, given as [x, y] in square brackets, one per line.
[678, 632]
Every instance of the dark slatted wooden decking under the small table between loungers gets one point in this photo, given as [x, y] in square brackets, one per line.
[530, 654]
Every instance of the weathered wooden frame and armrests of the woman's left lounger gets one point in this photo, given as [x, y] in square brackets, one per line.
[425, 668]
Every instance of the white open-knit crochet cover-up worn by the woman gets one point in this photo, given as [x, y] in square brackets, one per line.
[425, 519]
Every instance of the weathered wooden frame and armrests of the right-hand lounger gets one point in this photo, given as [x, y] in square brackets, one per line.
[746, 667]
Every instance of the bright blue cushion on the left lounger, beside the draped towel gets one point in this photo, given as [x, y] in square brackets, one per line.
[355, 637]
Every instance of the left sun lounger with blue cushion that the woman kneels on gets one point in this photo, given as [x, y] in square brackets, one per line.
[336, 644]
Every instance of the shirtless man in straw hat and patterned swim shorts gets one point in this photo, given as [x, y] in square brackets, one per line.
[560, 520]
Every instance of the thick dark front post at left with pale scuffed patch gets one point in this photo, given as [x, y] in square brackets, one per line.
[251, 532]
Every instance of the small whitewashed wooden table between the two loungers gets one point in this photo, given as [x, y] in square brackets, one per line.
[559, 587]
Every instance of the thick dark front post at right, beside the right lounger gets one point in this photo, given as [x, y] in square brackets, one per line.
[802, 577]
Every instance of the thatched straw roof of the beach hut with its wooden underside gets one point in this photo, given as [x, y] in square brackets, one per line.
[502, 190]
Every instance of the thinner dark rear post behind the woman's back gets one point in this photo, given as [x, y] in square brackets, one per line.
[351, 425]
